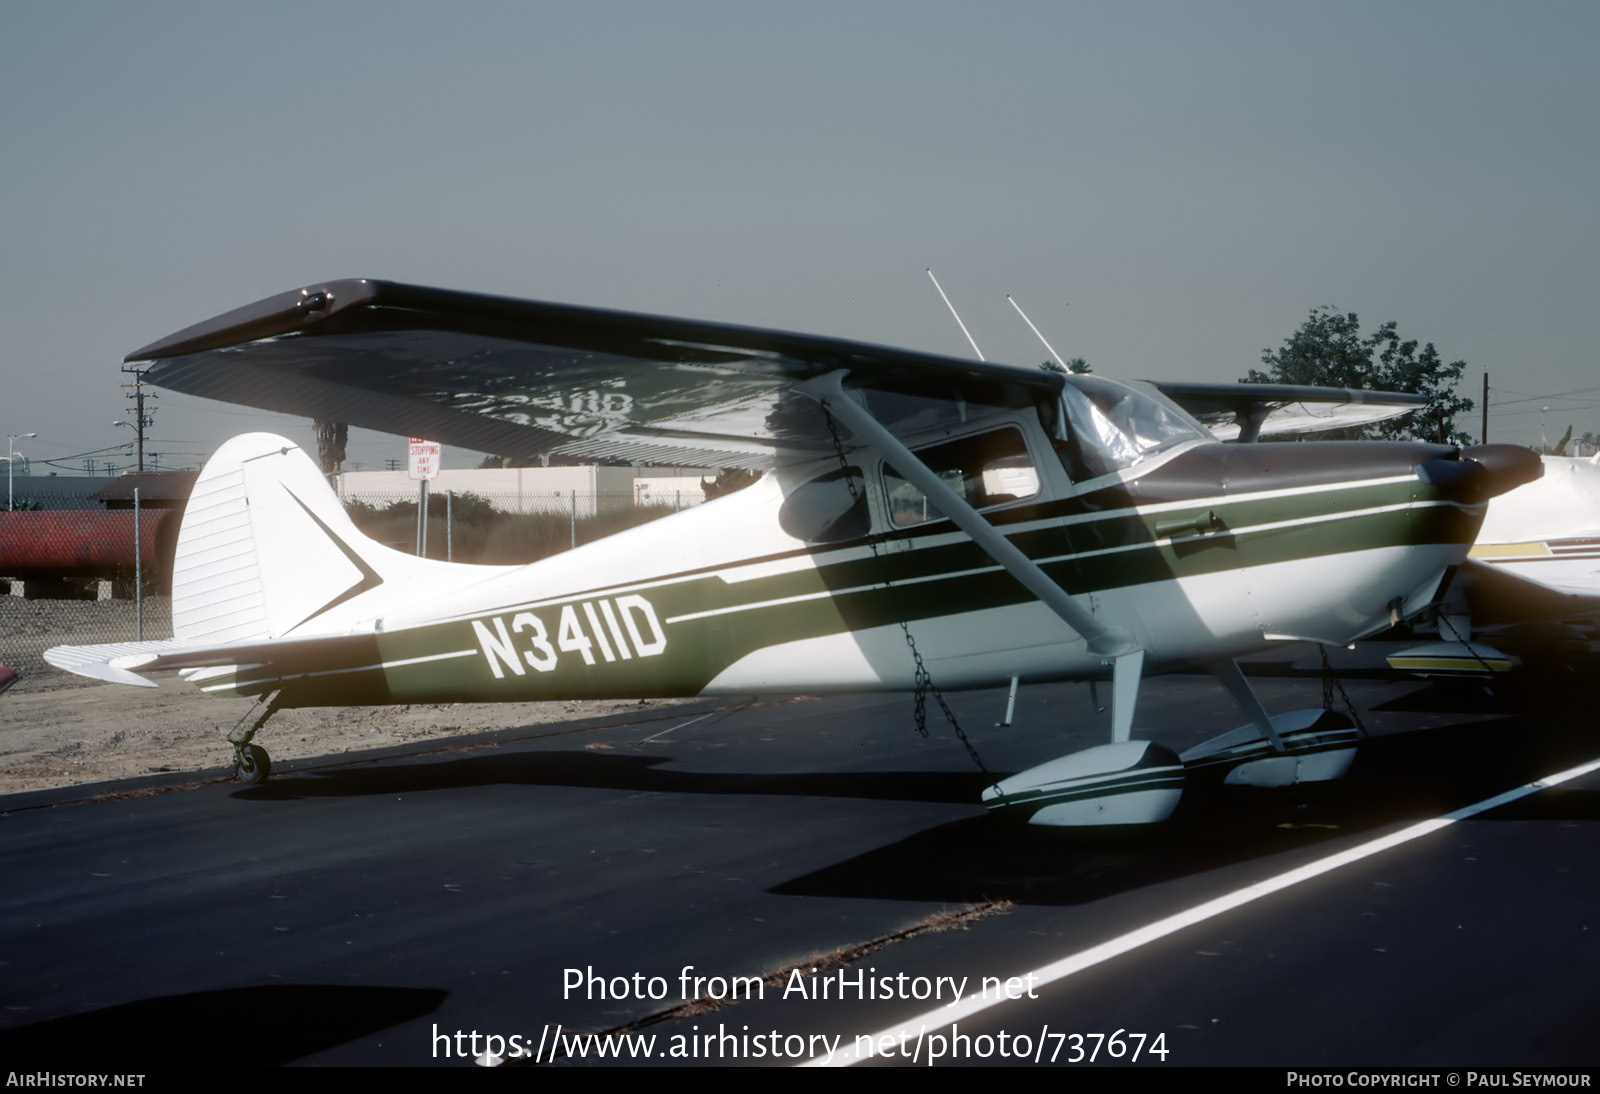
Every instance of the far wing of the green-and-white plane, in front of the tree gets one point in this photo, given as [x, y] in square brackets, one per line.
[1247, 412]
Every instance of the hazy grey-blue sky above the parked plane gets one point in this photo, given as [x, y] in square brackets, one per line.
[1169, 190]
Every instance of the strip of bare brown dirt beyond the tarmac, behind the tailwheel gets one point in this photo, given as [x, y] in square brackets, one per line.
[92, 732]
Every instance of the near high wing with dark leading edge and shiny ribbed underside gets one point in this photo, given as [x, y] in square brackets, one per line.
[551, 381]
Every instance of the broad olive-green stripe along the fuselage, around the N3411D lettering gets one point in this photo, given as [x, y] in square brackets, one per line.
[710, 621]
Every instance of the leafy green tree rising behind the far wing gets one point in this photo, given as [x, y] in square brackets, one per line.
[1330, 351]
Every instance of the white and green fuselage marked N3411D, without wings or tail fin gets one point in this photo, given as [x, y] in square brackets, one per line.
[1201, 553]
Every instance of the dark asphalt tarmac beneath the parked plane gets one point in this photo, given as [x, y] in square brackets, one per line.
[535, 887]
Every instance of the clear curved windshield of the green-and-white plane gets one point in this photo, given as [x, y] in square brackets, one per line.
[1113, 426]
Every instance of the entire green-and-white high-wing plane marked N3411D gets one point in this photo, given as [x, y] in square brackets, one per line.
[1001, 522]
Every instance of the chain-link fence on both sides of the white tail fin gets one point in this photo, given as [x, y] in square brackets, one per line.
[73, 573]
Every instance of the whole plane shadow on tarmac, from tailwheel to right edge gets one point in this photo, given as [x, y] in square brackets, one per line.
[1398, 778]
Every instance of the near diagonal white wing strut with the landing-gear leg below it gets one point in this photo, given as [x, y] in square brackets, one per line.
[1114, 644]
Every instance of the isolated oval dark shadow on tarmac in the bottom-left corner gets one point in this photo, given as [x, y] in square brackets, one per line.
[228, 1029]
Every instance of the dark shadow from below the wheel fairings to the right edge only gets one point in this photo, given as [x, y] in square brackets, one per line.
[1396, 780]
